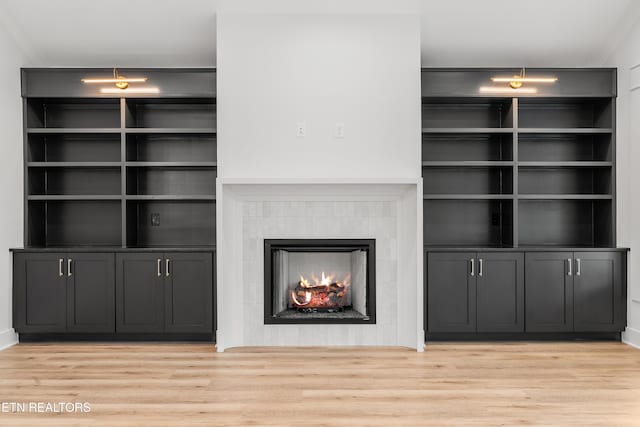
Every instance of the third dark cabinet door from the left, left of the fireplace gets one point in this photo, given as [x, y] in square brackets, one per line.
[139, 293]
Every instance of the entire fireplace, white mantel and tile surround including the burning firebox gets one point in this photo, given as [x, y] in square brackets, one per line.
[376, 221]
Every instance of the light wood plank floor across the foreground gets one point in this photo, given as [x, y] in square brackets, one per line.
[450, 384]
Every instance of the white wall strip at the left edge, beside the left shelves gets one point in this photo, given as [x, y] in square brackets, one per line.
[11, 60]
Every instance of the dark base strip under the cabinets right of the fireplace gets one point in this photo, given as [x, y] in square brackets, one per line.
[538, 336]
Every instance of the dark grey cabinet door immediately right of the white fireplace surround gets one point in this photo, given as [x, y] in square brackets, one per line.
[451, 292]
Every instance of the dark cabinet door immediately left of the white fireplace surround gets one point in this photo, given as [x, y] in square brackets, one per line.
[188, 292]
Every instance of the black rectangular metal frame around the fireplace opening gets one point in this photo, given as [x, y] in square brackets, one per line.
[319, 245]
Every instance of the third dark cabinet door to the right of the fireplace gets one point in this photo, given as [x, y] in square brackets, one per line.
[549, 291]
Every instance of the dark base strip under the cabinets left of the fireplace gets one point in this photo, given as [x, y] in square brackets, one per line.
[53, 337]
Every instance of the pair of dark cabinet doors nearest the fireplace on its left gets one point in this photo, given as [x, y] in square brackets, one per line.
[164, 292]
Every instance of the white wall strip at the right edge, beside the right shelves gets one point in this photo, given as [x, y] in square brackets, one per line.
[627, 59]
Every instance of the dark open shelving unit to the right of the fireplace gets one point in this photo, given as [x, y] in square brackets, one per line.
[521, 170]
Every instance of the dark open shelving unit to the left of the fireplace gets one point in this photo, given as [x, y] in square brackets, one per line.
[119, 171]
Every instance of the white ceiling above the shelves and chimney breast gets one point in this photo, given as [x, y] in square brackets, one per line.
[164, 33]
